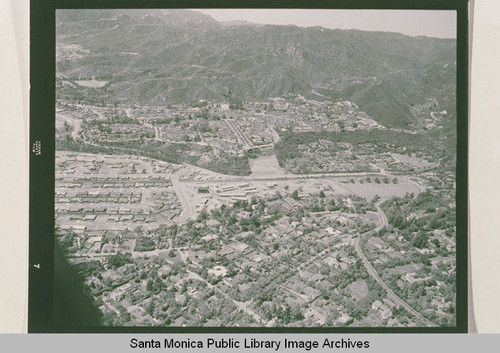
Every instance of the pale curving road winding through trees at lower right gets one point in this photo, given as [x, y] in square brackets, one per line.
[376, 277]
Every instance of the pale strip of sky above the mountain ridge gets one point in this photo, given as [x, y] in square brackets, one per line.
[431, 23]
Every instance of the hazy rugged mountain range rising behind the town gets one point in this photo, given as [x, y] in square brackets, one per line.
[183, 56]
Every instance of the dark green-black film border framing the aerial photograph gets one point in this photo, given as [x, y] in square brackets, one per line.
[42, 158]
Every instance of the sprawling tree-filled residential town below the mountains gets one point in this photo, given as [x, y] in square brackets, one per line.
[285, 212]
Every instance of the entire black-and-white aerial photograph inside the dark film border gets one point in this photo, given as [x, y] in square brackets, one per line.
[219, 168]
